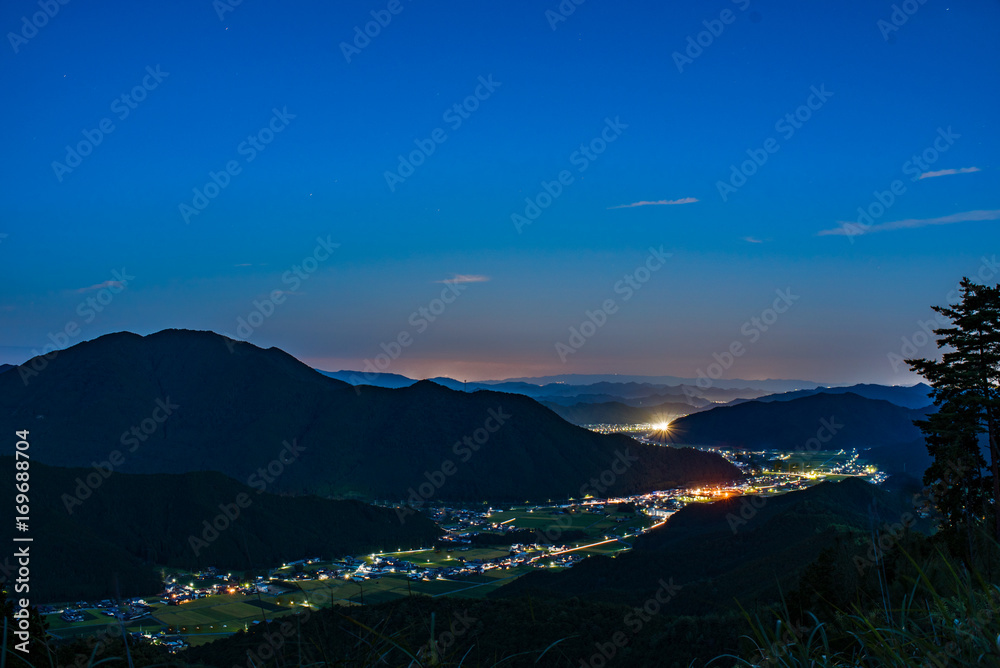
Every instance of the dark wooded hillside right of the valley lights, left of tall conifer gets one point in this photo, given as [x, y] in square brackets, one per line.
[714, 557]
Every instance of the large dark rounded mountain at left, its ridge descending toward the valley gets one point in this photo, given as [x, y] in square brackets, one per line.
[180, 401]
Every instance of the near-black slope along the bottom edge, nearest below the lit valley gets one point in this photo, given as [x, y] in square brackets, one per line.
[511, 633]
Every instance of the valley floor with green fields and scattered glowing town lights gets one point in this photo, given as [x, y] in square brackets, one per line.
[481, 548]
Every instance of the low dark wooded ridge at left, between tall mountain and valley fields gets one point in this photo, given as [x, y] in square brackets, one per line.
[127, 526]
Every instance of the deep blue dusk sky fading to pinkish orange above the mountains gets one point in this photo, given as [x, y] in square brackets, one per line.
[889, 91]
